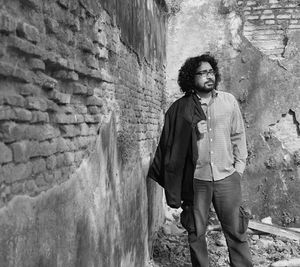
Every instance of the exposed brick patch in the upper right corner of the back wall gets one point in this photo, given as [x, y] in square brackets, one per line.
[268, 23]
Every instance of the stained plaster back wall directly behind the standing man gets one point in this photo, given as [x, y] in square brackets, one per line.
[267, 91]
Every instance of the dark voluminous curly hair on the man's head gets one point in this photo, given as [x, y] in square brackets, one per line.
[187, 72]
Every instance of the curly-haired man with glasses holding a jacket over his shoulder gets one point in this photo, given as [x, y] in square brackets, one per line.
[201, 158]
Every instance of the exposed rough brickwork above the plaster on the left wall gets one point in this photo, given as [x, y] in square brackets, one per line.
[63, 68]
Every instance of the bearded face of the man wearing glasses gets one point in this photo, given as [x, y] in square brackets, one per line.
[205, 78]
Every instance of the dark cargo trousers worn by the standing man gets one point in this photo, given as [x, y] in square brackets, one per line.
[226, 197]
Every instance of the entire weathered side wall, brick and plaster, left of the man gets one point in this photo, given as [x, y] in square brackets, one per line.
[81, 97]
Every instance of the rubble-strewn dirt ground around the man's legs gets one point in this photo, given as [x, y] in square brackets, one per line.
[171, 247]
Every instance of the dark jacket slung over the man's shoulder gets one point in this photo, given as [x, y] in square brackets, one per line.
[175, 159]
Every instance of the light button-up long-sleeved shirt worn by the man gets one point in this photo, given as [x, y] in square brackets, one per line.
[222, 150]
